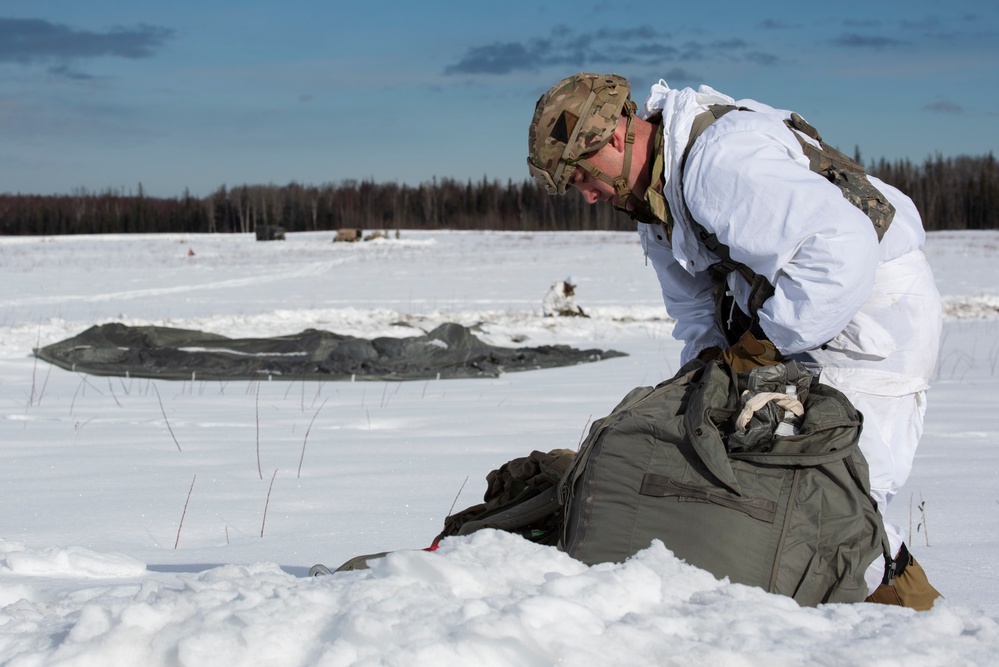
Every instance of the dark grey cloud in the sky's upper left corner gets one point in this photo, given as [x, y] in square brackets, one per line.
[35, 40]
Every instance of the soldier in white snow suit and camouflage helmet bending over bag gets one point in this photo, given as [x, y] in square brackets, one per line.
[768, 245]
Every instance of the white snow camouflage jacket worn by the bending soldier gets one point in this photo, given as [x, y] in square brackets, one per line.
[868, 312]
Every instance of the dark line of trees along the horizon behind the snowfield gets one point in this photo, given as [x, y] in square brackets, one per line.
[950, 193]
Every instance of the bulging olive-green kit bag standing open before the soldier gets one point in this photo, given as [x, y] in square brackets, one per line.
[790, 514]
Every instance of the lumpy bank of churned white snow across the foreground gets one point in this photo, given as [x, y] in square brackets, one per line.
[486, 599]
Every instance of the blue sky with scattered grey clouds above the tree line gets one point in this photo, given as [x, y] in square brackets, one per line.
[195, 95]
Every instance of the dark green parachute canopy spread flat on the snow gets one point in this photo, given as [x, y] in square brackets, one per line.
[449, 351]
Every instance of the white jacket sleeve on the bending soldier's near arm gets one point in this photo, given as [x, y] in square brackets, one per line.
[748, 182]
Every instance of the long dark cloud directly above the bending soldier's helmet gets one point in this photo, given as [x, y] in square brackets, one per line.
[646, 46]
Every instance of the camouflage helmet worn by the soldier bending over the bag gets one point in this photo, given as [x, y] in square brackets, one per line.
[576, 117]
